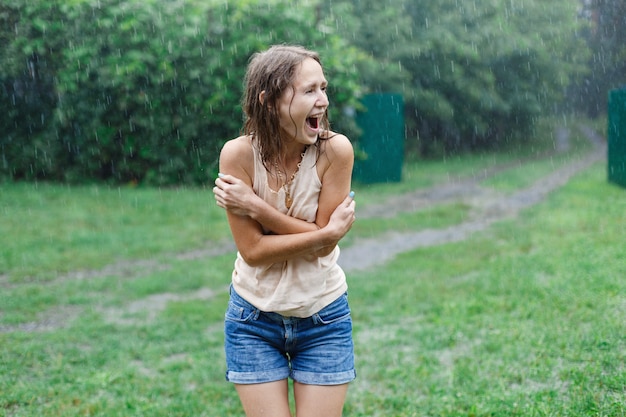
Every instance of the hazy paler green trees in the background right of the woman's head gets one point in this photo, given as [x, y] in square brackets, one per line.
[473, 74]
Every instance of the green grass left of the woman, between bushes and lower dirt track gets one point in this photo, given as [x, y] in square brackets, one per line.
[52, 229]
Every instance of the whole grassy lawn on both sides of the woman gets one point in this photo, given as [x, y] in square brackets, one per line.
[106, 311]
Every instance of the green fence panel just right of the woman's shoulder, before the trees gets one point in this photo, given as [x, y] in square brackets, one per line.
[382, 141]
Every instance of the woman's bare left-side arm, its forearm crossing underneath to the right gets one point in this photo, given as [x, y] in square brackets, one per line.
[256, 247]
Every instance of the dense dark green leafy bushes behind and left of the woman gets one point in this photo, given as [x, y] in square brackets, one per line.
[148, 91]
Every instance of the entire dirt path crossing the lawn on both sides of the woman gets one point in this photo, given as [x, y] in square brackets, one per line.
[487, 207]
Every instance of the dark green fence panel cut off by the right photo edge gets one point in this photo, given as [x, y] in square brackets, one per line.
[617, 137]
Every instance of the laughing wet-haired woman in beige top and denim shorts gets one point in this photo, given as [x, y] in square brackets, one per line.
[286, 190]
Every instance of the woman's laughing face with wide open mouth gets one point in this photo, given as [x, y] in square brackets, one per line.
[301, 108]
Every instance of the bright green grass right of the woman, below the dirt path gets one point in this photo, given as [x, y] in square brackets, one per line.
[524, 320]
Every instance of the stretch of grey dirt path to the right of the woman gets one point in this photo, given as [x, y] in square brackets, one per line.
[487, 208]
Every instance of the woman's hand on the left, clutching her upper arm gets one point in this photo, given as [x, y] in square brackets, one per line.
[234, 195]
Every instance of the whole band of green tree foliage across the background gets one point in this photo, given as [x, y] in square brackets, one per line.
[148, 91]
